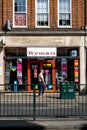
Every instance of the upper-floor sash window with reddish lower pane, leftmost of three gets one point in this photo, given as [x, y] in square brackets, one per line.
[19, 13]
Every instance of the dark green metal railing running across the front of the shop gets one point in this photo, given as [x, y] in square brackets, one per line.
[64, 103]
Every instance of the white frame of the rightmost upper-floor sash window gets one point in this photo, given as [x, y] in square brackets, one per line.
[66, 26]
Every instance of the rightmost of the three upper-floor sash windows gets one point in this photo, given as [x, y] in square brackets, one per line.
[64, 11]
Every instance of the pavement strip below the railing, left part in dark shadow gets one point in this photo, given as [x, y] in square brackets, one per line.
[42, 124]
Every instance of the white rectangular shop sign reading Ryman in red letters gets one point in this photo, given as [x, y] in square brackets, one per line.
[41, 52]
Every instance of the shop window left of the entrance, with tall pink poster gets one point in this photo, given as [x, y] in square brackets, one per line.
[16, 70]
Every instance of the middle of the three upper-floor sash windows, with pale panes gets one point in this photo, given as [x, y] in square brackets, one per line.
[42, 13]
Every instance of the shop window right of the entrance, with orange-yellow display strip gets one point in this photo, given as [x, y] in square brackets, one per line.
[67, 65]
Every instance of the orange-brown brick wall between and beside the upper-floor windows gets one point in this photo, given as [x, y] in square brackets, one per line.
[77, 14]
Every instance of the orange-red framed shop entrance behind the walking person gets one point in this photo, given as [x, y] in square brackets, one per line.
[34, 67]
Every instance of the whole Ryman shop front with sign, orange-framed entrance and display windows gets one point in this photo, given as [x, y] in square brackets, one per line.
[23, 65]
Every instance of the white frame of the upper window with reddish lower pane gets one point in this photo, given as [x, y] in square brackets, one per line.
[14, 26]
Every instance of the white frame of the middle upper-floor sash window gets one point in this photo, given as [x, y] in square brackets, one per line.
[43, 13]
